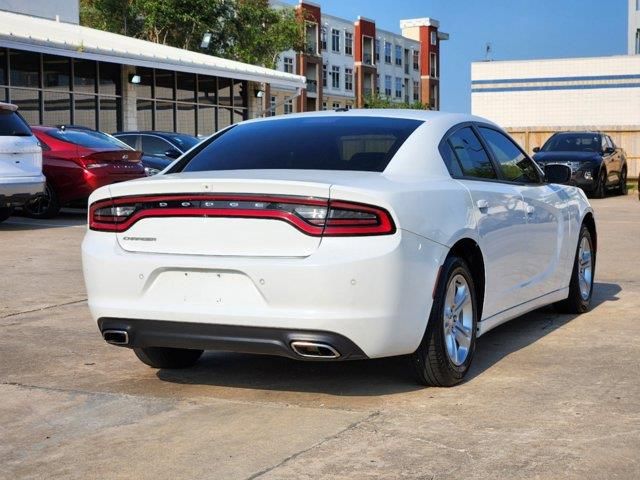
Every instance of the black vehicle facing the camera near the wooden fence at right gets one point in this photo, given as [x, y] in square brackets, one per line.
[597, 164]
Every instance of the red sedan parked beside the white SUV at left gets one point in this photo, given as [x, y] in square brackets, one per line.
[76, 161]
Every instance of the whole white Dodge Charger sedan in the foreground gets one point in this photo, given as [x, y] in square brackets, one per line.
[337, 236]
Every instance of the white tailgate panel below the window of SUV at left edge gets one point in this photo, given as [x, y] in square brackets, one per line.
[20, 156]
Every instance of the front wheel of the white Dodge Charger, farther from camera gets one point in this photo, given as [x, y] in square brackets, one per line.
[580, 288]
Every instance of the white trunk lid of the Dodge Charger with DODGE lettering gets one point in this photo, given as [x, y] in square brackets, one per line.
[242, 193]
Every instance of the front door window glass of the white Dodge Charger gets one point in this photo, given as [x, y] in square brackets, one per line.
[515, 166]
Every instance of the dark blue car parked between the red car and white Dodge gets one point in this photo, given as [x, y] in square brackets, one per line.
[159, 148]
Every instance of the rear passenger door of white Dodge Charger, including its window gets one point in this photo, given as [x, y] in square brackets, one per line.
[500, 218]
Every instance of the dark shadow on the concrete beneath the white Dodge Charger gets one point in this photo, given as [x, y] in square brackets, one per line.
[367, 377]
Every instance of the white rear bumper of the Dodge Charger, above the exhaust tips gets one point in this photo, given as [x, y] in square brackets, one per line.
[375, 292]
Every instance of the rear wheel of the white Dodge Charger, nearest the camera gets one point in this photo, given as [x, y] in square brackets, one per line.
[445, 354]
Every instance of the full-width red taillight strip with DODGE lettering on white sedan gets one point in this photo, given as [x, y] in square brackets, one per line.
[382, 225]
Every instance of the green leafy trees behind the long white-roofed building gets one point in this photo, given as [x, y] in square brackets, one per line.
[246, 30]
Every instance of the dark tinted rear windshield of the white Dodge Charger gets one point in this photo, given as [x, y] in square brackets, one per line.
[314, 143]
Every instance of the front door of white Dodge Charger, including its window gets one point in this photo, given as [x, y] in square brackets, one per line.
[544, 256]
